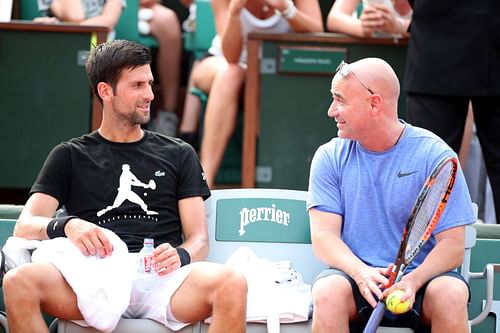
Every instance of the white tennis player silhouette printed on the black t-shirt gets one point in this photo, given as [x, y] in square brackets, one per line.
[127, 180]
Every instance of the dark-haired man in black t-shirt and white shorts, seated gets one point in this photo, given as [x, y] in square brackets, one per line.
[83, 175]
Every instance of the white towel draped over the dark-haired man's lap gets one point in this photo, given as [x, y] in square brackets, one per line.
[102, 285]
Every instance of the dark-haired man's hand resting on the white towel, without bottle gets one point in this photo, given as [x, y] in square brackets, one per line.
[88, 237]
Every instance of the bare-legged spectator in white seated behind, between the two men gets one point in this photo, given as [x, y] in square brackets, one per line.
[223, 73]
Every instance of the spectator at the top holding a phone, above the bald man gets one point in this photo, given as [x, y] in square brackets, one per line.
[379, 18]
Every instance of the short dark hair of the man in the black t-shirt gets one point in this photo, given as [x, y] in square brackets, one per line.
[108, 60]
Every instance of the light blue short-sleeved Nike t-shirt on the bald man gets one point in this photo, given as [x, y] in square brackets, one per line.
[374, 192]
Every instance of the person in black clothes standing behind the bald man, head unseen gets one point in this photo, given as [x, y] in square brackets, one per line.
[454, 58]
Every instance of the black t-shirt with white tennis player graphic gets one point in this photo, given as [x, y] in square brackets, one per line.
[130, 188]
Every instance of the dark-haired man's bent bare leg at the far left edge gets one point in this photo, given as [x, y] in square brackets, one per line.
[32, 288]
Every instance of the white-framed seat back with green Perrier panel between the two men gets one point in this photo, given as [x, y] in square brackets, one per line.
[273, 223]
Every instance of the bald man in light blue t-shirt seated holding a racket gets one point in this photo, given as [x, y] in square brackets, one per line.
[362, 187]
